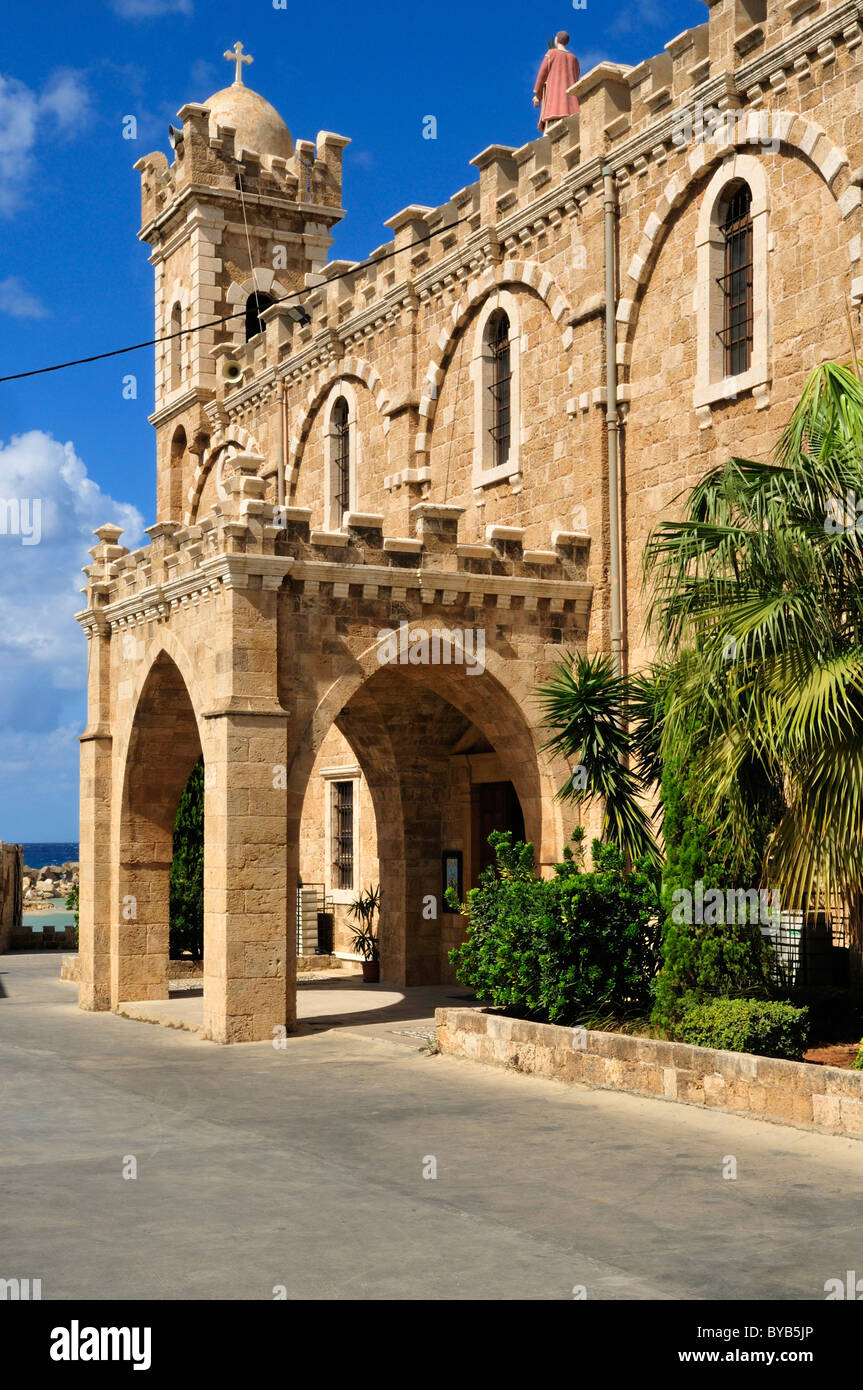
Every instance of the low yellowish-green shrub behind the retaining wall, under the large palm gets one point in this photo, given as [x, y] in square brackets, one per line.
[761, 1027]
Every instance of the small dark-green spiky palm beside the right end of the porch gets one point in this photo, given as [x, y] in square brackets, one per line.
[598, 721]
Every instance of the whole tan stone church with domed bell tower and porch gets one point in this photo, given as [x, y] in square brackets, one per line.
[462, 440]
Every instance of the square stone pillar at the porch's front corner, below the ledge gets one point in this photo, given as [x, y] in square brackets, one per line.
[249, 879]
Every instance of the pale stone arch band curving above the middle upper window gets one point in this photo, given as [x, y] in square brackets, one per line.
[508, 280]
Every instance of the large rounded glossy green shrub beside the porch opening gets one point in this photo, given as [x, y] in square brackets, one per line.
[554, 949]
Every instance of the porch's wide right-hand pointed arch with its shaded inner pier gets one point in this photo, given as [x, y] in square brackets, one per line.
[405, 726]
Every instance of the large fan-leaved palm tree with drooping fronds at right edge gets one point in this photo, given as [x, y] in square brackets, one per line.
[758, 608]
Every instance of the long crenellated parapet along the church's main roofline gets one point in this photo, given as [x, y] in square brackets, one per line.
[751, 58]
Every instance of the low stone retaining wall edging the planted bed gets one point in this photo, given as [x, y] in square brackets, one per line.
[825, 1099]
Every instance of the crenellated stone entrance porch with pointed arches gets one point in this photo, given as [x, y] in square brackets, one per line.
[249, 639]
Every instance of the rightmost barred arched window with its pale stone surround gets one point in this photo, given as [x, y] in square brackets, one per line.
[733, 294]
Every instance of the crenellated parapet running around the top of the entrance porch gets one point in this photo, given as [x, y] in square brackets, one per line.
[249, 543]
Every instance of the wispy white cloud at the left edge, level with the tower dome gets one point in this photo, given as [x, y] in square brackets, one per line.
[65, 104]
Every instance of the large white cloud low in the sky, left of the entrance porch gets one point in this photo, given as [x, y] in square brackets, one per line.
[42, 648]
